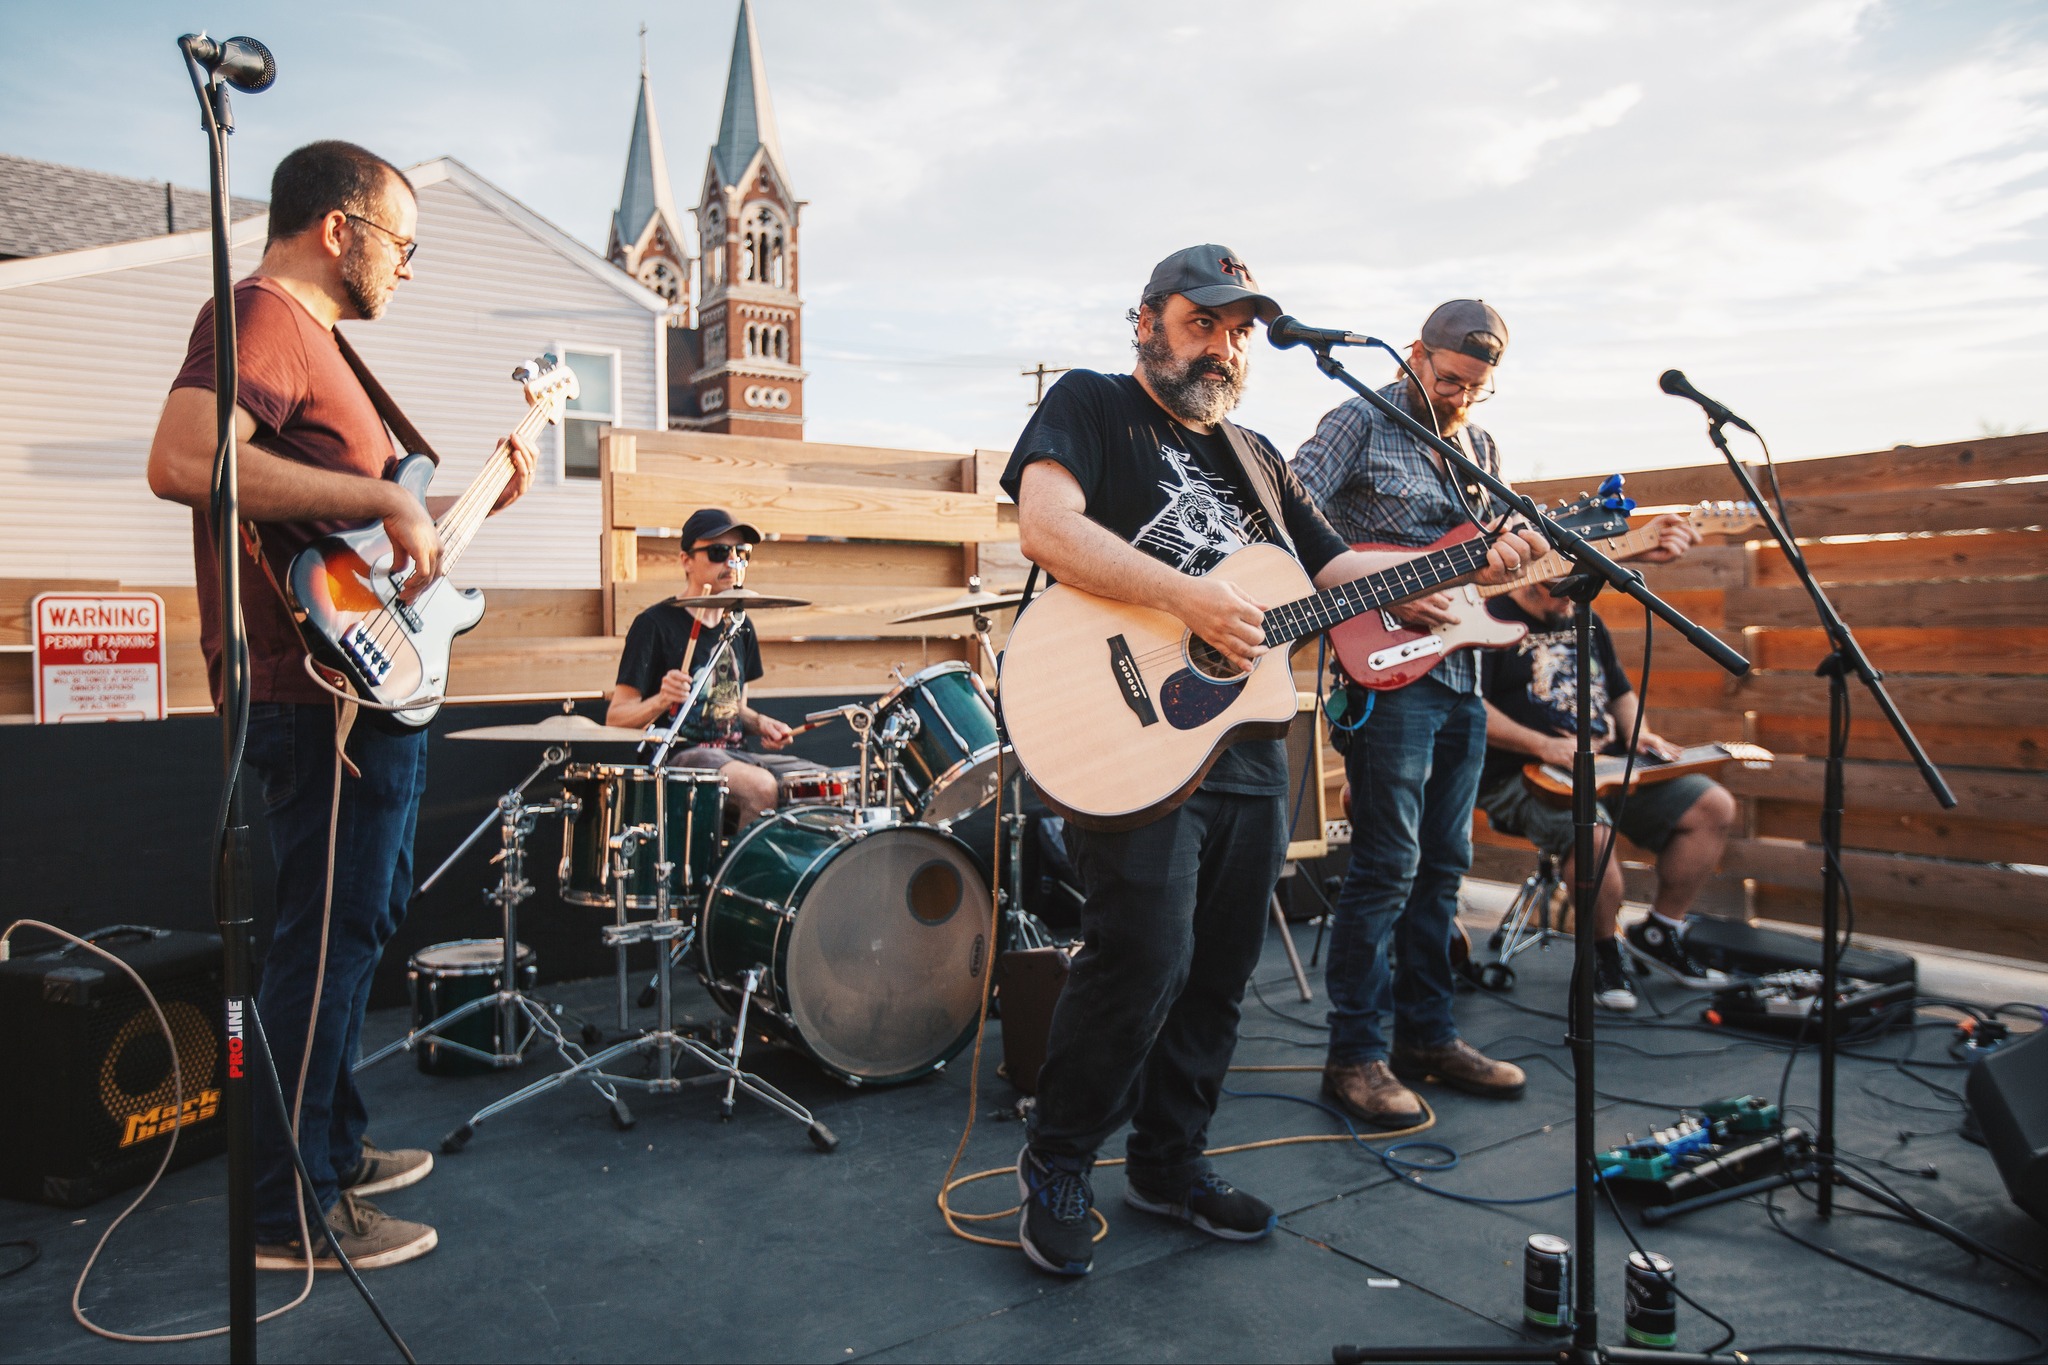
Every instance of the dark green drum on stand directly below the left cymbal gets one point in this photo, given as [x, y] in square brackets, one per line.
[620, 797]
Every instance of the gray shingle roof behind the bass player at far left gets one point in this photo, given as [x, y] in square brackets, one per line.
[48, 208]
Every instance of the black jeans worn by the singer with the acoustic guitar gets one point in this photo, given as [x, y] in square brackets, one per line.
[1170, 932]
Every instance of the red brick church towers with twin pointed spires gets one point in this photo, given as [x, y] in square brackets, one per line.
[736, 337]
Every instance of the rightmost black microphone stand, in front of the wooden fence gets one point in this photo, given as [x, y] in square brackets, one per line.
[1844, 658]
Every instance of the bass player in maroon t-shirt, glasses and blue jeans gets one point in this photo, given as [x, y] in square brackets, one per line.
[316, 457]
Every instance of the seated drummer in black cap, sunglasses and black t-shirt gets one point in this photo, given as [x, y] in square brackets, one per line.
[667, 648]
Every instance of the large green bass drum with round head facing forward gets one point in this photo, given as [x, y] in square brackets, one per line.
[876, 940]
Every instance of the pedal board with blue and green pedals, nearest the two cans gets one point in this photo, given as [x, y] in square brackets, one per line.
[1725, 1143]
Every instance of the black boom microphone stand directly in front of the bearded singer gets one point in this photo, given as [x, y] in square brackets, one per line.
[1594, 572]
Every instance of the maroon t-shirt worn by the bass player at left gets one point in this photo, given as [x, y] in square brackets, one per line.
[308, 408]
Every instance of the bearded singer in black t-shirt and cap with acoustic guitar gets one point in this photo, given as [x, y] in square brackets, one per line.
[1138, 496]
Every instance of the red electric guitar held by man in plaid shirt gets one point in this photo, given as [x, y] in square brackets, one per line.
[1381, 654]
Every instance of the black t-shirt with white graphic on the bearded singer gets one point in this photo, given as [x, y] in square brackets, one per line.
[1177, 494]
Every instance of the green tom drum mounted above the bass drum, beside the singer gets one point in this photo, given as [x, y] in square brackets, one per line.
[951, 758]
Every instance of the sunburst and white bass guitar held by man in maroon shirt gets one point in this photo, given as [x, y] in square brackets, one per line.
[347, 601]
